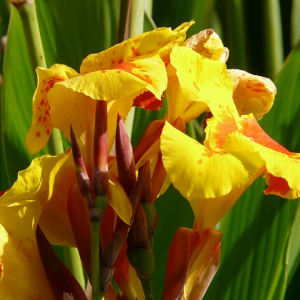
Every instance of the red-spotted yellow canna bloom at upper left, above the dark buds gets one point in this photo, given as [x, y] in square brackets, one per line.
[119, 75]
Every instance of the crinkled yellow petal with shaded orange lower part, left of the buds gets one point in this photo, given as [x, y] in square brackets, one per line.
[47, 180]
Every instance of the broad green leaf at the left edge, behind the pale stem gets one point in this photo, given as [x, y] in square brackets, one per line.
[18, 88]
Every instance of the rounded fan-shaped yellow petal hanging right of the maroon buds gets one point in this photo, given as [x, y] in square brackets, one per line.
[198, 172]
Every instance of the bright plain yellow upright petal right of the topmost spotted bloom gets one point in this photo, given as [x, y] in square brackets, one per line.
[201, 80]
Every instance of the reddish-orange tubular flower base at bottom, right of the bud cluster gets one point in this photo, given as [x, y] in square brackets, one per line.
[193, 260]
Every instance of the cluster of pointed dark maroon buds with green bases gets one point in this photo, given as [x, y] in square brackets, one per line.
[86, 216]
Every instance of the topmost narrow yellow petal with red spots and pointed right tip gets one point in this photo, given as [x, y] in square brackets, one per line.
[159, 41]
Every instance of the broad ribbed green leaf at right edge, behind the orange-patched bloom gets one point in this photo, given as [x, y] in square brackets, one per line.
[259, 253]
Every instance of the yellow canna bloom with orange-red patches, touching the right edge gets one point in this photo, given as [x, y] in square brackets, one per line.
[235, 152]
